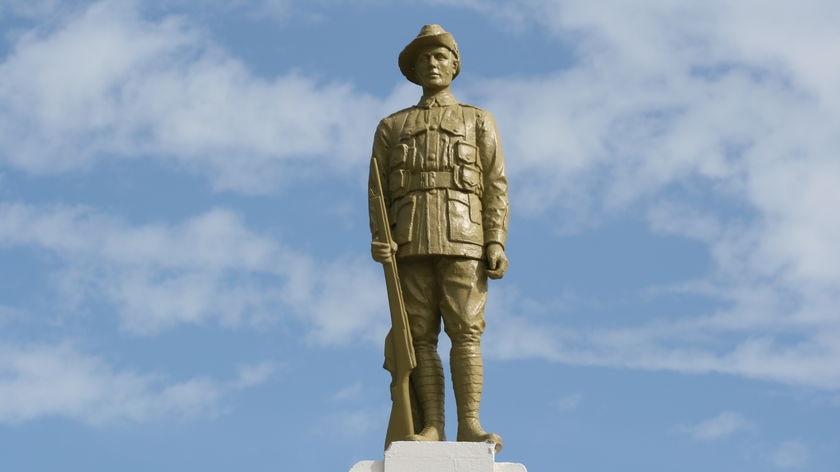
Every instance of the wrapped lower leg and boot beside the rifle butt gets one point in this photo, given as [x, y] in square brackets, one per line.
[428, 384]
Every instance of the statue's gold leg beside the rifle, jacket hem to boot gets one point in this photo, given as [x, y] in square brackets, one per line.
[421, 295]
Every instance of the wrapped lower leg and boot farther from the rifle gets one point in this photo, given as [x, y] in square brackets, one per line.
[467, 380]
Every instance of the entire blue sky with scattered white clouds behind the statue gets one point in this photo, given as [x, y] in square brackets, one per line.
[186, 282]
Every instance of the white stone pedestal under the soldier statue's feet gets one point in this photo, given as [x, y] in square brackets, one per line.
[408, 456]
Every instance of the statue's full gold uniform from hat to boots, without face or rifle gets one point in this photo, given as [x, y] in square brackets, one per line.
[442, 170]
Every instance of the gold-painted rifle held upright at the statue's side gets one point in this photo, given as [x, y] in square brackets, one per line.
[401, 422]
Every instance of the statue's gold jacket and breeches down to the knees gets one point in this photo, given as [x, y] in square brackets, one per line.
[442, 166]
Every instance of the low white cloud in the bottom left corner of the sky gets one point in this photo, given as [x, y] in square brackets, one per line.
[60, 381]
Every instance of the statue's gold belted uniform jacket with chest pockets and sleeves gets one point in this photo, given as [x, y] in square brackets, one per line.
[443, 176]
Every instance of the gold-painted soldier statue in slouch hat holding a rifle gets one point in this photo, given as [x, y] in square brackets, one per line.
[438, 171]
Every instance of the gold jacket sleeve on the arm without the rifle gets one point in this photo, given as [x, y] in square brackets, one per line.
[495, 195]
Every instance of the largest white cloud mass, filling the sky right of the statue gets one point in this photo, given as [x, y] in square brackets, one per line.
[718, 122]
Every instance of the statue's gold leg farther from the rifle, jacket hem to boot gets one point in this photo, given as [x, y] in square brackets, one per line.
[463, 300]
